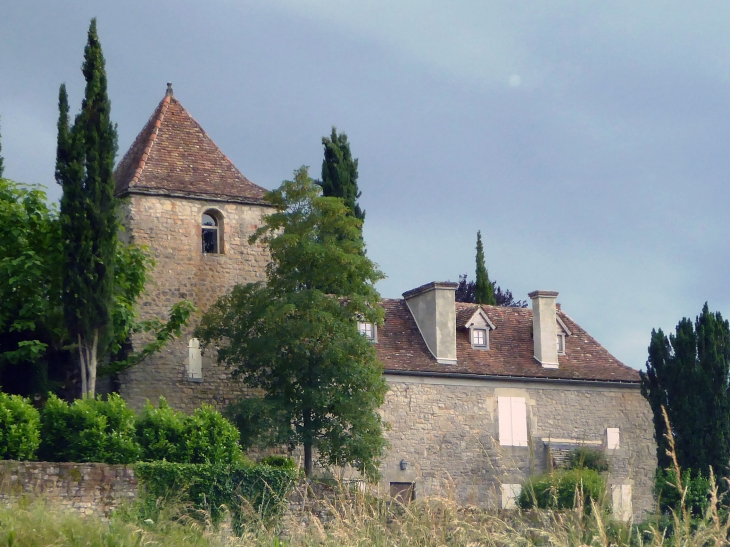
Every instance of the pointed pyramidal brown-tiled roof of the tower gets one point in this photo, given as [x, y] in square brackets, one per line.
[173, 155]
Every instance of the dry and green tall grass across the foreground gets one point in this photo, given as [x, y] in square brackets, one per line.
[356, 520]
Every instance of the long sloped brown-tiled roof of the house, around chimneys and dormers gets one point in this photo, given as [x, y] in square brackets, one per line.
[401, 348]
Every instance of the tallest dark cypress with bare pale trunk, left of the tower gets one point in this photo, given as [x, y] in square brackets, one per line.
[84, 168]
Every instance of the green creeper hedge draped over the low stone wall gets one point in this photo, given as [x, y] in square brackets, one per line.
[246, 490]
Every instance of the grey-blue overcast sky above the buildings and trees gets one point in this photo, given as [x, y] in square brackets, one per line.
[588, 141]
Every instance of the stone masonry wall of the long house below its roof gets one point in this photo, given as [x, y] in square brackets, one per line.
[447, 432]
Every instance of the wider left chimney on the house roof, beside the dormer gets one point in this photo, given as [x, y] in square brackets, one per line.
[432, 306]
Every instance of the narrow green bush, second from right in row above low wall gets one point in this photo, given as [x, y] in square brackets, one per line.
[161, 433]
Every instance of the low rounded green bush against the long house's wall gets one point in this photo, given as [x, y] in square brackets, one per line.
[558, 490]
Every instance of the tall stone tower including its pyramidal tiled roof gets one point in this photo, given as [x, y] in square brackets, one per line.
[194, 211]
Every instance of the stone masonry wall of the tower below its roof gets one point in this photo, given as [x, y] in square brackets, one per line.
[171, 229]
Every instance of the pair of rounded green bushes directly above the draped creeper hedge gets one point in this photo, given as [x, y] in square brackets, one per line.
[204, 437]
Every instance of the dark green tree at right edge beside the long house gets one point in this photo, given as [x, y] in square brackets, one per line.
[687, 374]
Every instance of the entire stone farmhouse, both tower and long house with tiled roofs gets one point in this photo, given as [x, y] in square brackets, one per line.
[480, 396]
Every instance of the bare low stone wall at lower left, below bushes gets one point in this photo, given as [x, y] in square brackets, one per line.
[89, 488]
